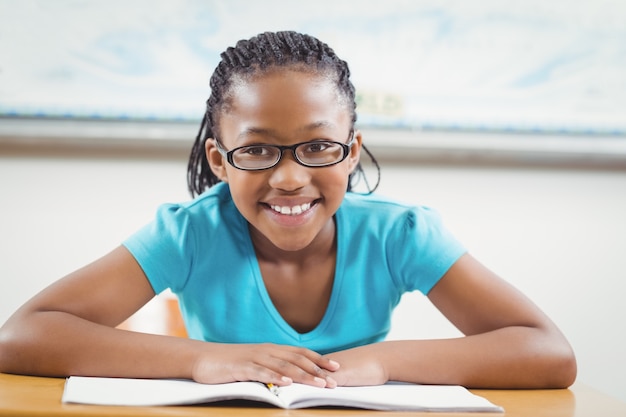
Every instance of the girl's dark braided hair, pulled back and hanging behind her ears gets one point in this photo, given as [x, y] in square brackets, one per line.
[256, 56]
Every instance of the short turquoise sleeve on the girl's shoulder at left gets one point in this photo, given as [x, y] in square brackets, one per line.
[165, 248]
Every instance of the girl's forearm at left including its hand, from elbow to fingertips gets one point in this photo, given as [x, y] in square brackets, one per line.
[53, 343]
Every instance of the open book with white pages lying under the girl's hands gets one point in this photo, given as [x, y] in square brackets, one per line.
[153, 392]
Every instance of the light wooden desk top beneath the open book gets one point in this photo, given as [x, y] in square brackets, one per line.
[33, 396]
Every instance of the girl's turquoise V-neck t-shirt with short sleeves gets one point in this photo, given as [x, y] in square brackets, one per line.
[202, 251]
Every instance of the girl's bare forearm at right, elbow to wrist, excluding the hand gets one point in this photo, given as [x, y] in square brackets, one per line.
[511, 357]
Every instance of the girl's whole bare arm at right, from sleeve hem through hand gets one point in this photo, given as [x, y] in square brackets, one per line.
[509, 342]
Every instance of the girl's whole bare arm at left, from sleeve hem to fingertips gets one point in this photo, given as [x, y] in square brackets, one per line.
[69, 329]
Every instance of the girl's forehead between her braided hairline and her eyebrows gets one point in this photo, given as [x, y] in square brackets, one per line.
[284, 99]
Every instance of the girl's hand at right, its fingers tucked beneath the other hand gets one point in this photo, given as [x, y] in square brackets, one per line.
[360, 366]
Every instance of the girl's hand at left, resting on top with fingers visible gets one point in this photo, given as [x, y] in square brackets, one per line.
[267, 363]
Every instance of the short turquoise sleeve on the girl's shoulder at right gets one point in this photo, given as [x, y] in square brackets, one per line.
[423, 250]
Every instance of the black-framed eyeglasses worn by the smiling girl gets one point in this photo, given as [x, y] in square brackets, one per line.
[313, 154]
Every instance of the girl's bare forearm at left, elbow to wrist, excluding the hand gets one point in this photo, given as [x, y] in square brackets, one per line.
[60, 344]
